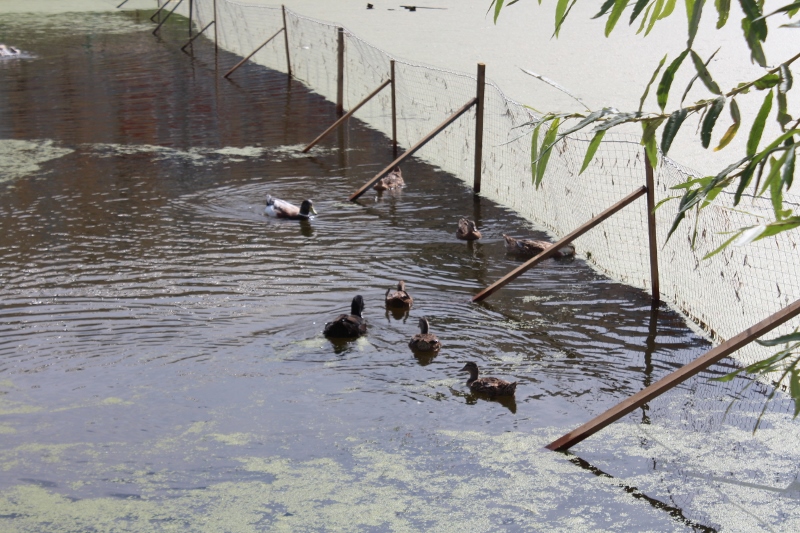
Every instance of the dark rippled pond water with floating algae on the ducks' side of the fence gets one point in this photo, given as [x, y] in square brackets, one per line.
[162, 363]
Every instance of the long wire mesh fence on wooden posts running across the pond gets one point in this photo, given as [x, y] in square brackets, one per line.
[723, 295]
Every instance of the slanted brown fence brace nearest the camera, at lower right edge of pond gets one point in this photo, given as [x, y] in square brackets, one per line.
[675, 378]
